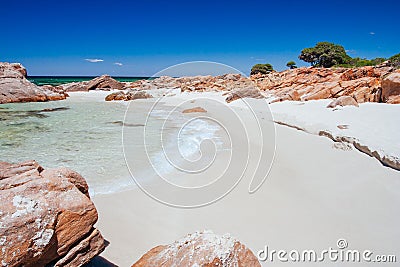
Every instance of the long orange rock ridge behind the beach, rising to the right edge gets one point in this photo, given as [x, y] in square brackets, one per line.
[365, 84]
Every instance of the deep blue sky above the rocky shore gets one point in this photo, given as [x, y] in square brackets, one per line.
[63, 37]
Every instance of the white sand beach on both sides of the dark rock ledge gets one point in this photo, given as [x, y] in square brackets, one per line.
[314, 194]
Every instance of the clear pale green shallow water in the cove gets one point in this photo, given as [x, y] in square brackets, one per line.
[85, 134]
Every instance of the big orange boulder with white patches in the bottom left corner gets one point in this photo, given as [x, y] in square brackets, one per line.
[46, 216]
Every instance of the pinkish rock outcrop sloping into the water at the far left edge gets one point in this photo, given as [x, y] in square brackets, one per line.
[14, 87]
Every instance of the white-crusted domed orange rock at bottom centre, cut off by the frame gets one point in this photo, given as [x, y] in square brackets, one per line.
[200, 249]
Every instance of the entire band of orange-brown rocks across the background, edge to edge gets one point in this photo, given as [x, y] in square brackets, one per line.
[365, 84]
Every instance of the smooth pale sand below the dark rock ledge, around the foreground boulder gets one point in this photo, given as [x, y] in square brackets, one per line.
[279, 197]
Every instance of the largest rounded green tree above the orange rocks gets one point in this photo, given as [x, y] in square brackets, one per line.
[325, 54]
